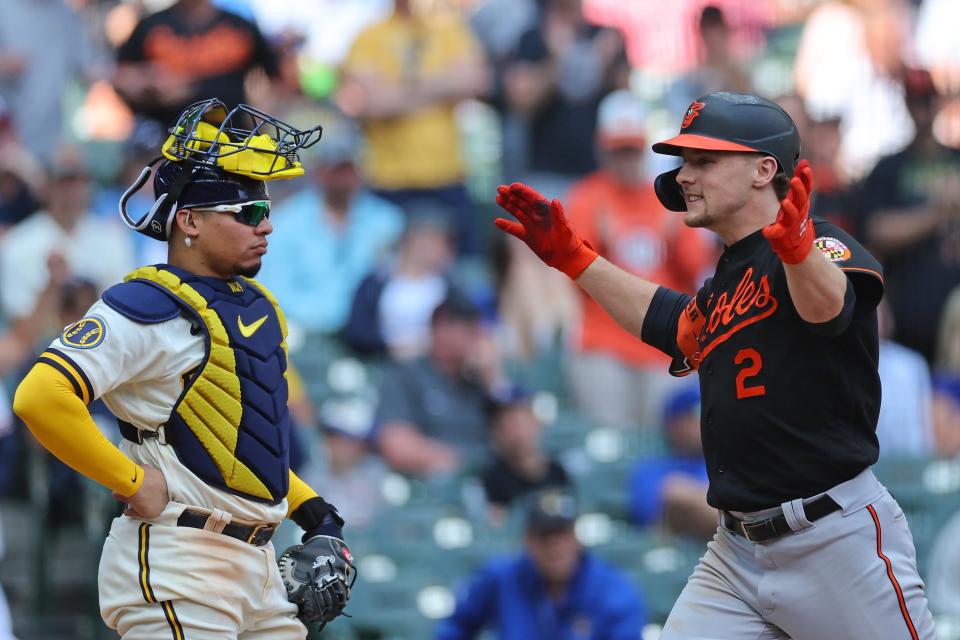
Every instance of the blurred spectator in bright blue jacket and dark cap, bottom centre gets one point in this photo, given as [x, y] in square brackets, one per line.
[553, 589]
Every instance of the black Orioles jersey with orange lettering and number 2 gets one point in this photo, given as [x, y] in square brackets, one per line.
[789, 408]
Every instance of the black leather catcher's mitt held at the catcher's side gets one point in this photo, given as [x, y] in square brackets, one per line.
[318, 575]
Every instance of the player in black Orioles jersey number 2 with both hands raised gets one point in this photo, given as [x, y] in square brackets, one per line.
[809, 545]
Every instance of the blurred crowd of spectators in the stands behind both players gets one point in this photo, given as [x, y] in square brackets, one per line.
[426, 345]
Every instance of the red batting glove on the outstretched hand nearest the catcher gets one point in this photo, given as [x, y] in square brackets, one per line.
[544, 227]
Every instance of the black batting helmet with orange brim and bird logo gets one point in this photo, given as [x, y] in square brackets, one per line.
[729, 122]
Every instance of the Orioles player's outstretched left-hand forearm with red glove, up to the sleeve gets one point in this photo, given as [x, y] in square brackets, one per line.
[543, 226]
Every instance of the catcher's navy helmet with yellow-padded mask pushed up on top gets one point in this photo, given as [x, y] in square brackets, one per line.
[215, 156]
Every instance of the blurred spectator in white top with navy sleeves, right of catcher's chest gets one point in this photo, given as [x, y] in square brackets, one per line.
[391, 310]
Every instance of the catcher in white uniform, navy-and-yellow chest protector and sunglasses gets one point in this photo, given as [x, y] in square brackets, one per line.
[191, 358]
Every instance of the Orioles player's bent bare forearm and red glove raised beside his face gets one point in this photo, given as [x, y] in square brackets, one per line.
[818, 288]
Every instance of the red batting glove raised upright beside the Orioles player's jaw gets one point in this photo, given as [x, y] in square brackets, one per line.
[792, 234]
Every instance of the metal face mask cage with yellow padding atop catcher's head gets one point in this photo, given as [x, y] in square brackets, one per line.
[240, 126]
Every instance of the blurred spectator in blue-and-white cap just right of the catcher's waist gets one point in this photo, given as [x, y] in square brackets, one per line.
[343, 463]
